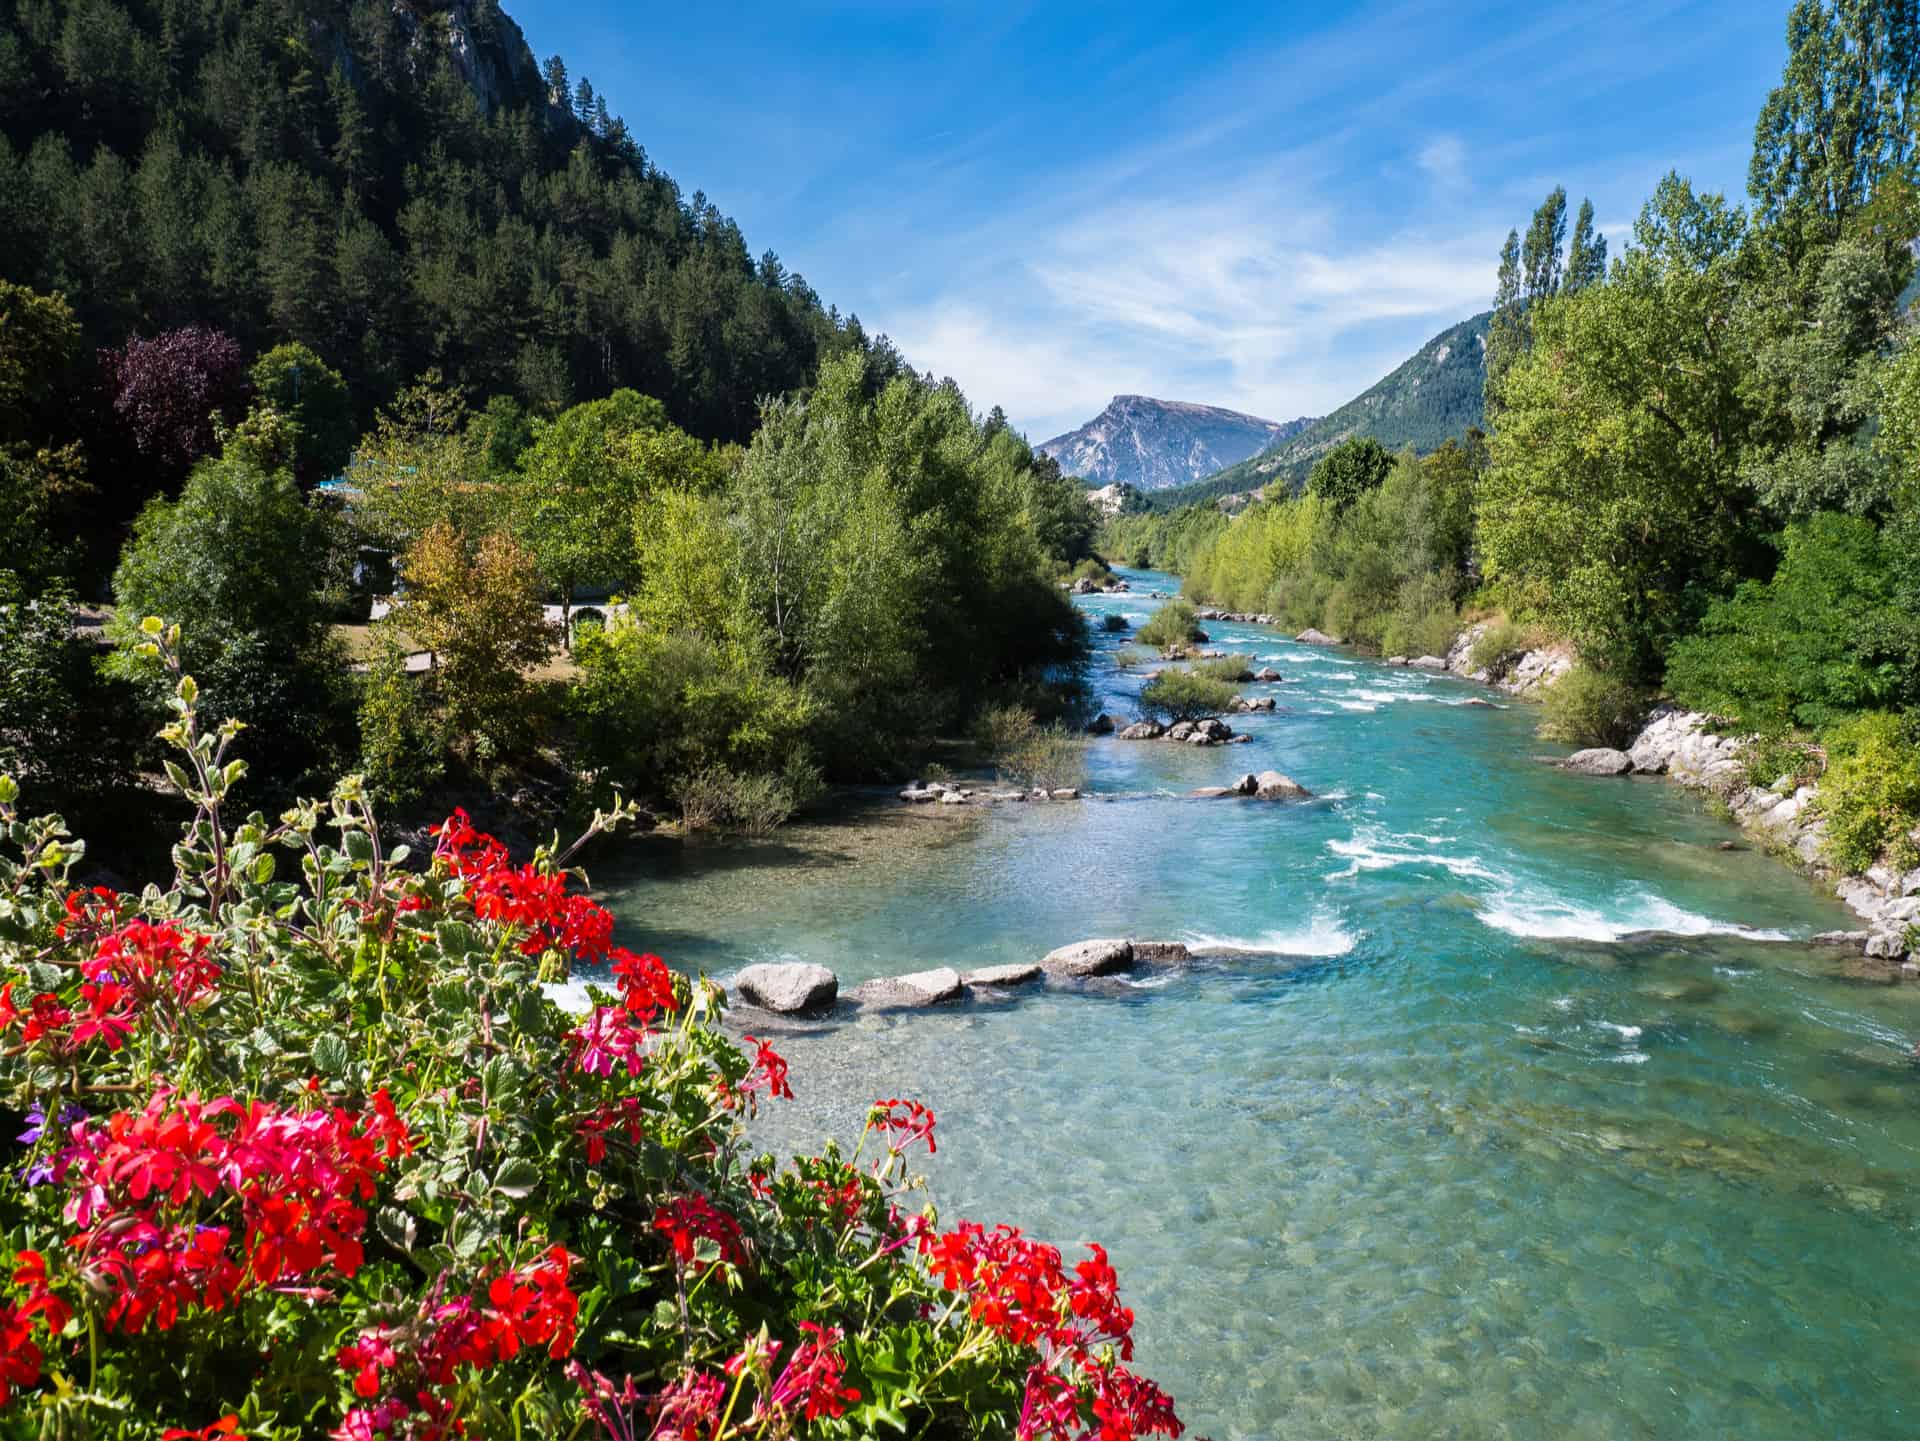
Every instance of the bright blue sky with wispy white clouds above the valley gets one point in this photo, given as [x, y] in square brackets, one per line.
[1262, 206]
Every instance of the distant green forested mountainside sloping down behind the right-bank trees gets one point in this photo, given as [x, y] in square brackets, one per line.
[1429, 398]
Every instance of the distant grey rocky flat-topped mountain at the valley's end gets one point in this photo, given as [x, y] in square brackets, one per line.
[1157, 445]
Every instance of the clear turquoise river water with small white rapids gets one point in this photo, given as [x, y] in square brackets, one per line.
[1462, 1149]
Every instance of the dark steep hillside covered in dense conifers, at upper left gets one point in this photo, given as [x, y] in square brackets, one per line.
[395, 183]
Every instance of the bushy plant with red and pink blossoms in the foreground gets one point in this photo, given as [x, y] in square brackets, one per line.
[308, 1143]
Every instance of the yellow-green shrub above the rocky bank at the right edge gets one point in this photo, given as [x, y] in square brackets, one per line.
[1871, 792]
